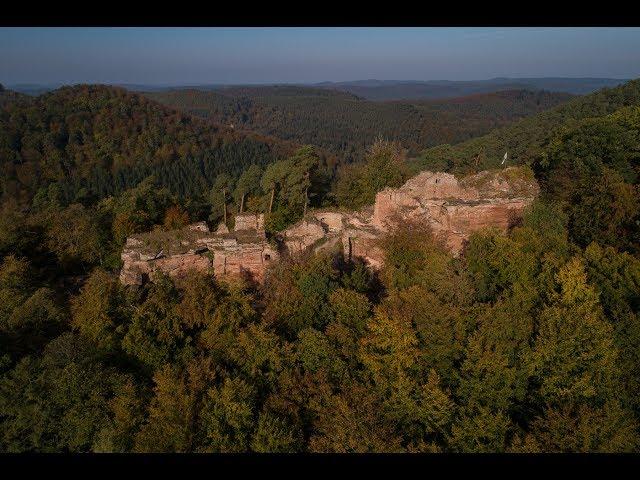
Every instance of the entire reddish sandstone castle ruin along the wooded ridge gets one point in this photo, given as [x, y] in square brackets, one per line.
[453, 208]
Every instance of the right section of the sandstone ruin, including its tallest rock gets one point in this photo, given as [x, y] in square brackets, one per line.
[452, 208]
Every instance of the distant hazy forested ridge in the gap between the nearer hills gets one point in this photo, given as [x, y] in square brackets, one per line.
[345, 124]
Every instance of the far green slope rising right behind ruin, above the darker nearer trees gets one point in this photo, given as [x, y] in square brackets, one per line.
[525, 140]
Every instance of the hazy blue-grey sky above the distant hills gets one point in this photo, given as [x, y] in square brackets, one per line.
[290, 55]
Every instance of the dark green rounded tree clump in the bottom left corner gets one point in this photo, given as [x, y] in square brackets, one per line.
[62, 402]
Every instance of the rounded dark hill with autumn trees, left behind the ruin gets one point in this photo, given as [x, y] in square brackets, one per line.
[94, 141]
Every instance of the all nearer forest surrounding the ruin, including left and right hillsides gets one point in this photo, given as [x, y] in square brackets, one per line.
[528, 342]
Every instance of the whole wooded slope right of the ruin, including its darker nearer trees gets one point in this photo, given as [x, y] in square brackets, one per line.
[585, 155]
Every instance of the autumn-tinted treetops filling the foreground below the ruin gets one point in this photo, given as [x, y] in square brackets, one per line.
[543, 360]
